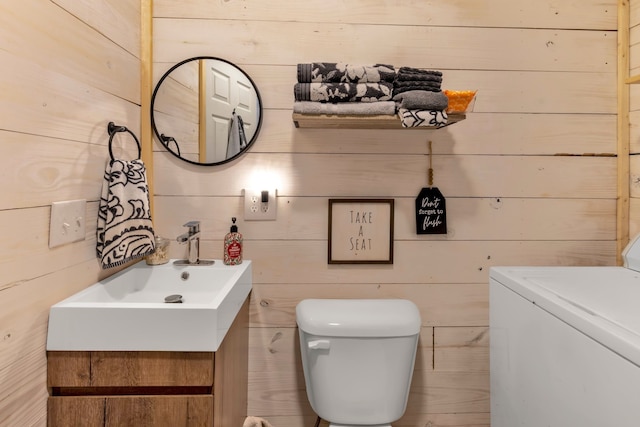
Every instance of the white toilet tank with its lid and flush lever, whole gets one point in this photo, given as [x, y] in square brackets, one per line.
[358, 357]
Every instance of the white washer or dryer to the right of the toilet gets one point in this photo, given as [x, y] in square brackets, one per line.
[565, 345]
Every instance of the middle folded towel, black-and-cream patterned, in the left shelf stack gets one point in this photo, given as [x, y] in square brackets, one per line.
[343, 92]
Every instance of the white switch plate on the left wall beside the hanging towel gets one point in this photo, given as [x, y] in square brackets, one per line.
[67, 222]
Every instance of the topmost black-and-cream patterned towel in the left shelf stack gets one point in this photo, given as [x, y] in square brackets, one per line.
[336, 72]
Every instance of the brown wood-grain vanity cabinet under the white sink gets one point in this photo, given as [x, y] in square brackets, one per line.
[129, 388]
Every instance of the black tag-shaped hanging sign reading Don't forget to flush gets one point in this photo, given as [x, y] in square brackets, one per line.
[431, 211]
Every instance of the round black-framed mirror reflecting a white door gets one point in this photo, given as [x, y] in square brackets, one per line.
[206, 111]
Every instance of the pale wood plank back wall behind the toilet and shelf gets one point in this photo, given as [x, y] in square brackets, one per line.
[530, 176]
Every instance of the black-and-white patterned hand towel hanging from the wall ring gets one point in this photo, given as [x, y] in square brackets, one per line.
[125, 231]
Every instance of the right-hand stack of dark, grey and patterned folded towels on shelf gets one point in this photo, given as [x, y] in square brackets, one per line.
[419, 97]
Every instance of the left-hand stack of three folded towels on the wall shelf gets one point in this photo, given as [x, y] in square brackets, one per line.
[350, 89]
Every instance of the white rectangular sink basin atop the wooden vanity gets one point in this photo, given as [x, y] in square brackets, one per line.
[128, 312]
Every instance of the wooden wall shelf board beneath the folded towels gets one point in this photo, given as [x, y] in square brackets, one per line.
[324, 121]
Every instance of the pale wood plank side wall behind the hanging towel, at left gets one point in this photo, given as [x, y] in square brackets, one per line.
[68, 68]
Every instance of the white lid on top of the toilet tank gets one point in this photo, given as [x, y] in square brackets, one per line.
[358, 317]
